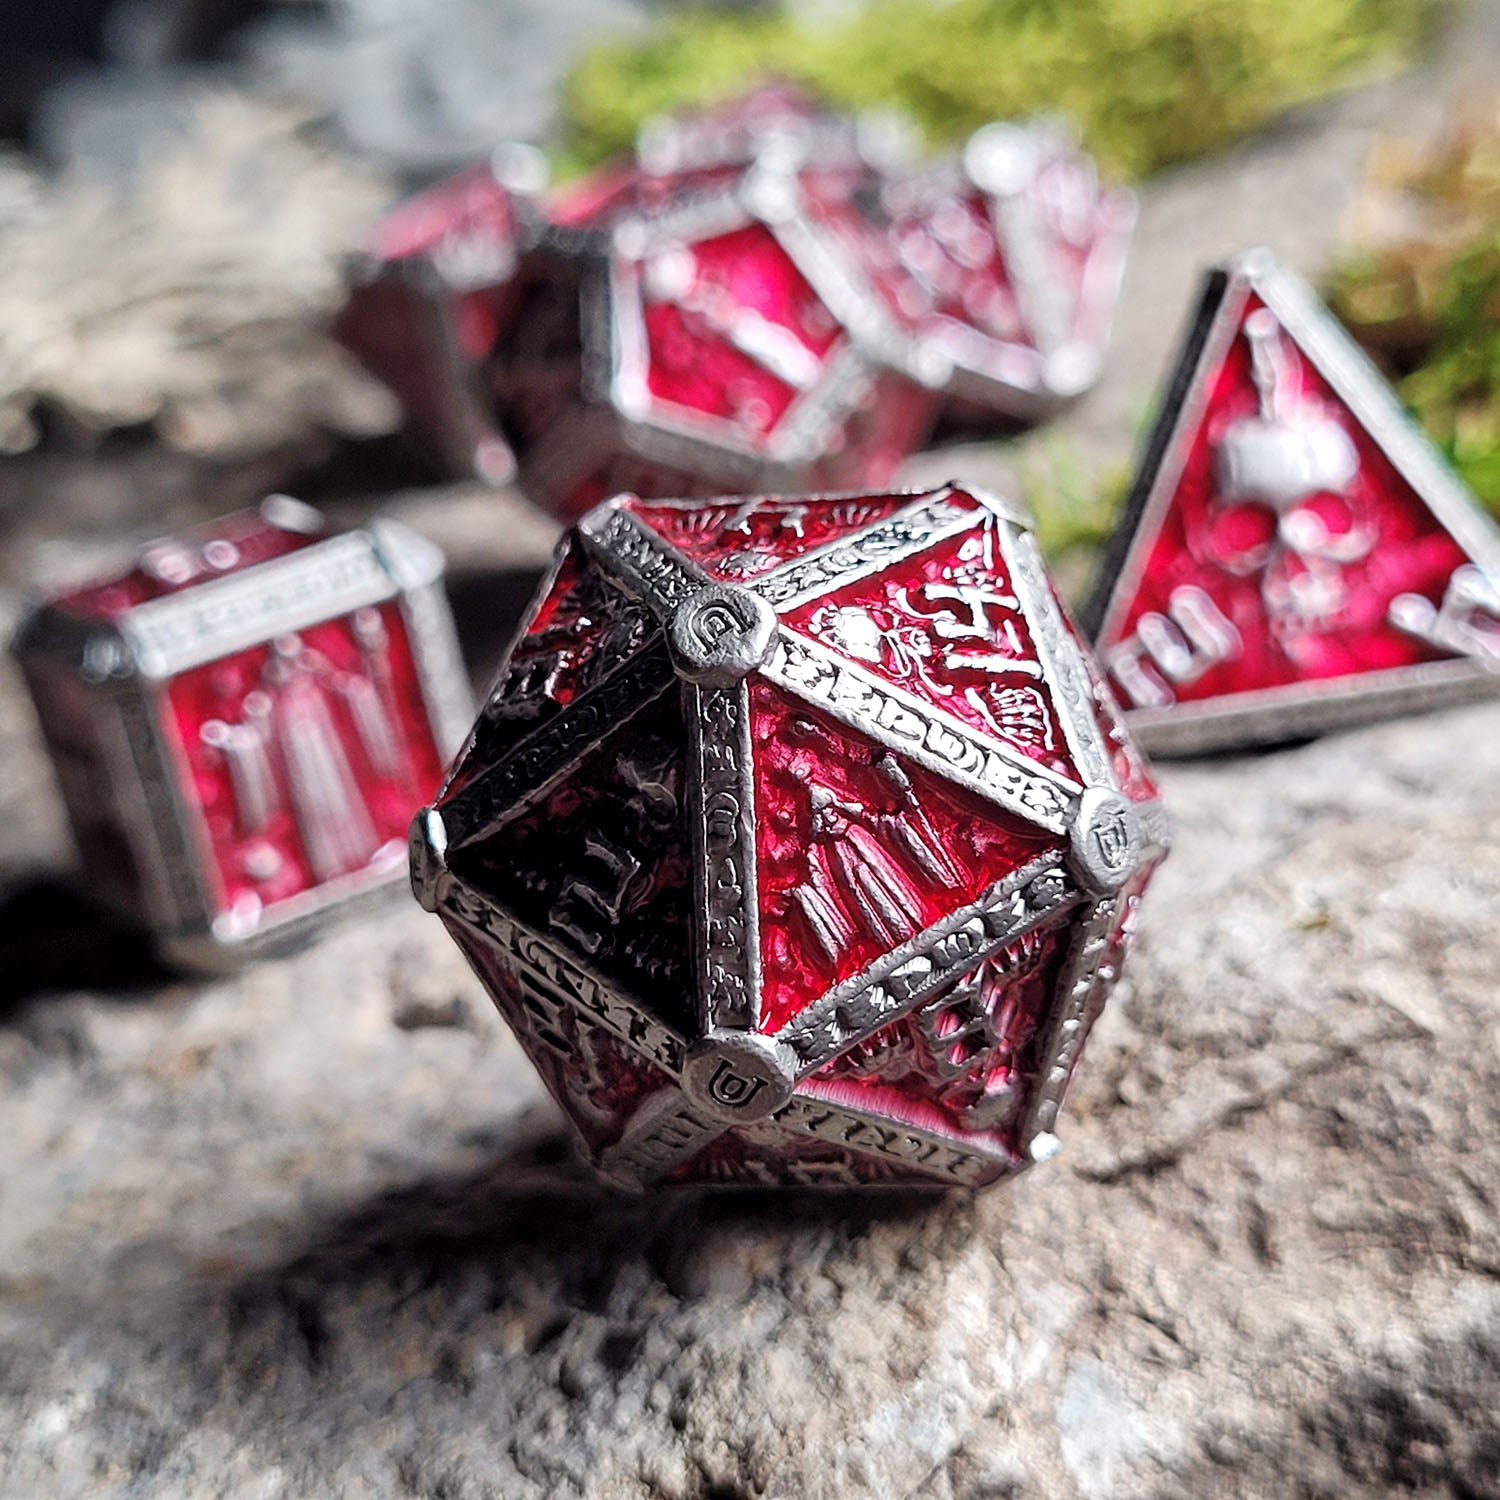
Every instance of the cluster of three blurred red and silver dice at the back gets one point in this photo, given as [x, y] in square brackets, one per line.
[764, 296]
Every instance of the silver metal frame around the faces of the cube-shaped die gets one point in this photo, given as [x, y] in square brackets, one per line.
[121, 668]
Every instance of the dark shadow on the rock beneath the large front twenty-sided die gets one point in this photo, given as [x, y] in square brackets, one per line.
[539, 1223]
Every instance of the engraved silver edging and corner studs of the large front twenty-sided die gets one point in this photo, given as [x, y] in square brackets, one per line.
[727, 1042]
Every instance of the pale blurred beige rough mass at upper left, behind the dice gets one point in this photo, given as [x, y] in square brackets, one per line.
[191, 295]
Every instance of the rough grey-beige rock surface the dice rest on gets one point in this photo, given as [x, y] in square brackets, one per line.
[314, 1232]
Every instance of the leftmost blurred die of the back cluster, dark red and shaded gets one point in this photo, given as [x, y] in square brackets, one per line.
[436, 293]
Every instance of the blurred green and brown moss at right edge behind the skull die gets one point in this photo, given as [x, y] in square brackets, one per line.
[1423, 289]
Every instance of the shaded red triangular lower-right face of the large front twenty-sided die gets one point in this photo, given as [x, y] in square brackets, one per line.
[959, 1064]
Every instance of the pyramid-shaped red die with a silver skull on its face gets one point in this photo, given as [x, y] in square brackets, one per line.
[1295, 554]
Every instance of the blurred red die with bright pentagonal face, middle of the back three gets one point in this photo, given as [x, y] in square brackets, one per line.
[725, 343]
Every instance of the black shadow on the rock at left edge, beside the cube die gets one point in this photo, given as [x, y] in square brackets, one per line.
[55, 940]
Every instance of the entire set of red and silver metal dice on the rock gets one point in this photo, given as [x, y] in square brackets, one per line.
[802, 838]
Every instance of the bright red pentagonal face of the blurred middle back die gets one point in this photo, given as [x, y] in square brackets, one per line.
[734, 329]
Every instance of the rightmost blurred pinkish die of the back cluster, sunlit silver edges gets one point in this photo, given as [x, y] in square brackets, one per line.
[1018, 254]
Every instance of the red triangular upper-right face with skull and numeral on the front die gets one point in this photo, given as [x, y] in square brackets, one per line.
[949, 628]
